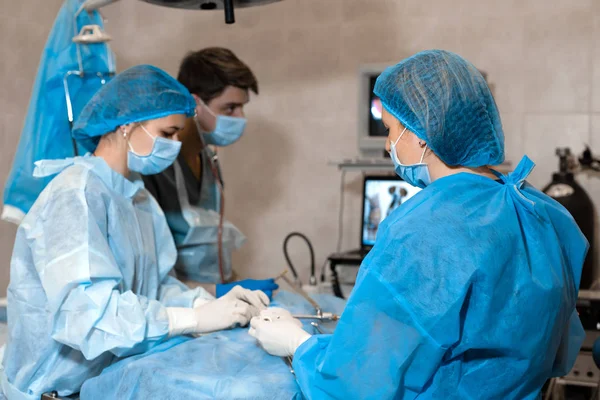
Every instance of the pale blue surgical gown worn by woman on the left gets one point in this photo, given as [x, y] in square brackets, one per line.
[89, 279]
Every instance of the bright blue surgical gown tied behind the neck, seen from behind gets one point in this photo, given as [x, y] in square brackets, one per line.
[468, 293]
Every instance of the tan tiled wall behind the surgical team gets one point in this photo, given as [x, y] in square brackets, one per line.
[543, 58]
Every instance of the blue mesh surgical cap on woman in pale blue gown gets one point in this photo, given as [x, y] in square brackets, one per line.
[138, 94]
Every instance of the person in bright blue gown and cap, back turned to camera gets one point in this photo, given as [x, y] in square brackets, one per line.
[470, 289]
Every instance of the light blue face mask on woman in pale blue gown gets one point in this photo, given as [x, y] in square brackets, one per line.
[163, 155]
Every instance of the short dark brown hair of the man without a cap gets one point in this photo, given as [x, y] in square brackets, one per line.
[206, 73]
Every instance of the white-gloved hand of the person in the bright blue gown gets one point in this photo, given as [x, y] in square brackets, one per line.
[278, 337]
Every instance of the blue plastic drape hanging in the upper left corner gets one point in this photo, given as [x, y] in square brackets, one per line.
[46, 132]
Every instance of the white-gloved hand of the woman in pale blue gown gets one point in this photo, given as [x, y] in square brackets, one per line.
[235, 308]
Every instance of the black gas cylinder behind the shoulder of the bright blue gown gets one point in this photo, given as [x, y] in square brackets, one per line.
[565, 189]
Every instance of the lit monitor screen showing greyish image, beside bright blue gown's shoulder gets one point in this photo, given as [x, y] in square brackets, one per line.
[382, 196]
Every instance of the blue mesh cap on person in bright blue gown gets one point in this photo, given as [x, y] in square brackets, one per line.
[444, 100]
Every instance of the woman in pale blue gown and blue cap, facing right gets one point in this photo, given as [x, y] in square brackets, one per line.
[90, 273]
